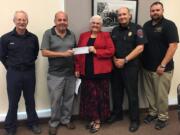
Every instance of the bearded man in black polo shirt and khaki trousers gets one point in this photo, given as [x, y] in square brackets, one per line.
[158, 65]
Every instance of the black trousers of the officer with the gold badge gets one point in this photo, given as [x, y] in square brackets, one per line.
[126, 78]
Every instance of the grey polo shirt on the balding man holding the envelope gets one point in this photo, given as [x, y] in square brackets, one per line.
[59, 66]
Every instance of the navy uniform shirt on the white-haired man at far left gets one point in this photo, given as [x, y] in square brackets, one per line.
[19, 51]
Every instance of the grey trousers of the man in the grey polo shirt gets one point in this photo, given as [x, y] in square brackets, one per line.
[61, 90]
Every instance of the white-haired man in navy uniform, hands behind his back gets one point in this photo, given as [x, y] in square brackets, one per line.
[18, 52]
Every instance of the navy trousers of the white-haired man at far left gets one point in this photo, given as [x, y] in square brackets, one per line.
[18, 81]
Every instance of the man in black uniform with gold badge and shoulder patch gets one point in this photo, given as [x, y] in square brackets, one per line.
[129, 43]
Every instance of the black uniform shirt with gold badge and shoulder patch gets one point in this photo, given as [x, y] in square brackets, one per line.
[126, 39]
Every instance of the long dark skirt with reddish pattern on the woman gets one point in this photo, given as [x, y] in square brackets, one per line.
[94, 100]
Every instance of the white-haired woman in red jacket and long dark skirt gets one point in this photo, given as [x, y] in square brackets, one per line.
[94, 69]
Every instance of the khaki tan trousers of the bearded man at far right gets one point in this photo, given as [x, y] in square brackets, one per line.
[156, 91]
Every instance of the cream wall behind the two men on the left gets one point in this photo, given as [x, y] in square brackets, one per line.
[41, 16]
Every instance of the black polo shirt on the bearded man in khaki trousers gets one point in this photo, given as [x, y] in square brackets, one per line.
[159, 36]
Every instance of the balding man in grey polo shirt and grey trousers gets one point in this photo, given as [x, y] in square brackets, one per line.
[57, 45]
